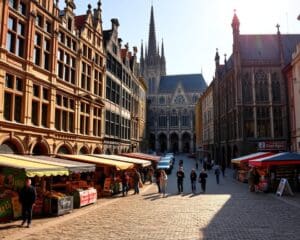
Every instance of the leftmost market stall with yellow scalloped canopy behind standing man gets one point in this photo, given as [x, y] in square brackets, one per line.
[13, 172]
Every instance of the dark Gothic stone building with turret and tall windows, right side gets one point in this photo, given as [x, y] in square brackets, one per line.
[250, 95]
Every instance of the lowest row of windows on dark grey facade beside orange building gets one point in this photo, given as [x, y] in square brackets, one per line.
[117, 126]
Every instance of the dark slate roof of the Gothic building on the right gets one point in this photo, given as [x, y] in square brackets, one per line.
[265, 47]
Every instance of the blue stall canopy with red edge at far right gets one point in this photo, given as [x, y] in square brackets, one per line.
[285, 158]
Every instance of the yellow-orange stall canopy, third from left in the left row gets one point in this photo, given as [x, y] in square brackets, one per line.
[97, 160]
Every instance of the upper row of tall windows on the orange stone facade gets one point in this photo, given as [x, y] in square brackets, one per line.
[66, 62]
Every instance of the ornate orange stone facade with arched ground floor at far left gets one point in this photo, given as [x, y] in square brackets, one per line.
[51, 78]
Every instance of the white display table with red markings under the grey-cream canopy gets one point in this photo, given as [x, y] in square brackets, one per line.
[83, 197]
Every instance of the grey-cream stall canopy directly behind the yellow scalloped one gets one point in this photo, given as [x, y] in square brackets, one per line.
[72, 166]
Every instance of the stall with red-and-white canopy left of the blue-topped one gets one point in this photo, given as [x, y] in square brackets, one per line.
[241, 164]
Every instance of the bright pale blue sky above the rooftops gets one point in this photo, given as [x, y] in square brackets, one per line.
[193, 29]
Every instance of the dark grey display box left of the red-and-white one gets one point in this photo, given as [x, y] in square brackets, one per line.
[58, 206]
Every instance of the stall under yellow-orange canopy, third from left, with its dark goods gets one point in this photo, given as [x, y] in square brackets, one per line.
[107, 170]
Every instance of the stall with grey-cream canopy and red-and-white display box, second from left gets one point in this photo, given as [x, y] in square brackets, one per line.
[79, 184]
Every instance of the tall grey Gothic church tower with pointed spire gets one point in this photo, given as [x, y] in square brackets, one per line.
[153, 66]
